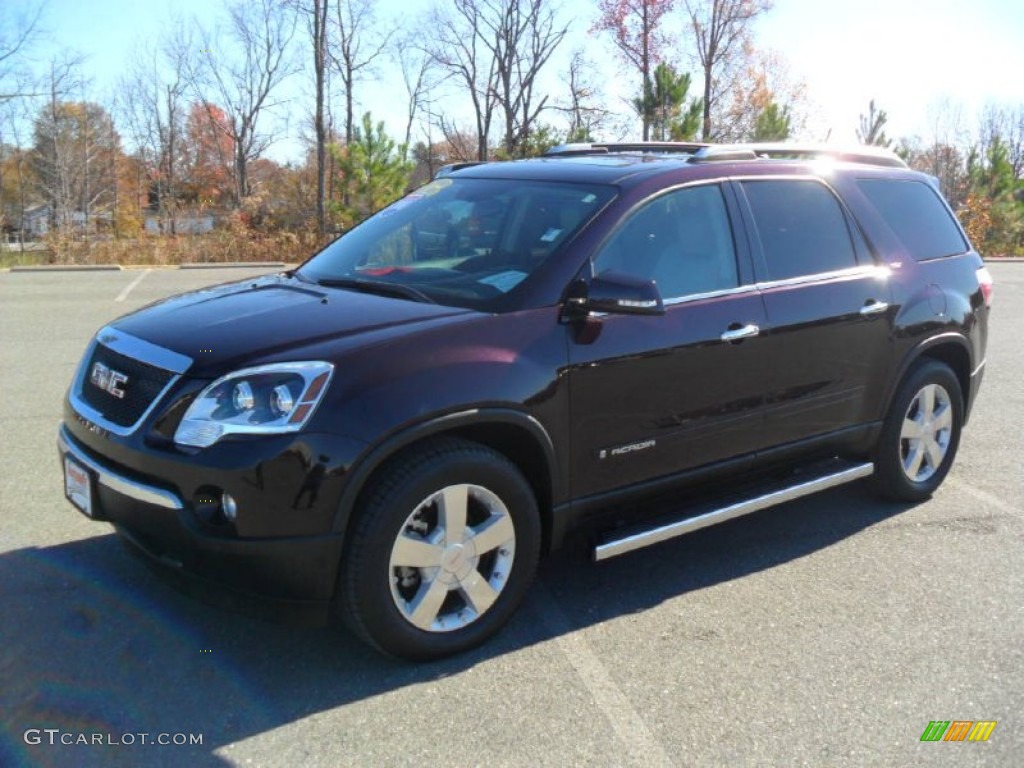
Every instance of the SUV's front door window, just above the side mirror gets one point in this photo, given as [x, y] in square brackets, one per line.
[681, 240]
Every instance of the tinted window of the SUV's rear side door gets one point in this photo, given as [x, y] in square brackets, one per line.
[802, 228]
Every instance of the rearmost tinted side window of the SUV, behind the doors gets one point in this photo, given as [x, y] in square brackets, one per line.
[916, 215]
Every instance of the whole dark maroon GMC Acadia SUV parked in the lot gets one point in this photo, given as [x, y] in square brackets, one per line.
[401, 428]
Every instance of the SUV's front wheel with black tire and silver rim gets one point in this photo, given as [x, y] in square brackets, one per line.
[376, 598]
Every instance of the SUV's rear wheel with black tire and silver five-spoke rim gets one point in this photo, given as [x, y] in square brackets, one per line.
[892, 479]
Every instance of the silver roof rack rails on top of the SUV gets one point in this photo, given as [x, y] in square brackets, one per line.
[705, 153]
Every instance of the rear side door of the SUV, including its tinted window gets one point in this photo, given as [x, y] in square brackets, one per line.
[828, 308]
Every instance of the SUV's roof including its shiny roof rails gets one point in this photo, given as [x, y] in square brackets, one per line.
[619, 163]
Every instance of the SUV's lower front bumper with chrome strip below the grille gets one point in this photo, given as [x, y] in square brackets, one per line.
[302, 571]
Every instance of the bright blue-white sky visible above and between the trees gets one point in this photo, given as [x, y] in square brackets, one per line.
[911, 56]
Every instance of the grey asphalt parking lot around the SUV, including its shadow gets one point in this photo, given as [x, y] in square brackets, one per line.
[828, 632]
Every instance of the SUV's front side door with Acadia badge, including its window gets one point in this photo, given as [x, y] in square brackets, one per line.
[653, 397]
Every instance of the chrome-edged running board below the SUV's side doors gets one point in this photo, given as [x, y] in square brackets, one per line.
[788, 493]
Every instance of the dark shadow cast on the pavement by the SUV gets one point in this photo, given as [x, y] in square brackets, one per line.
[92, 642]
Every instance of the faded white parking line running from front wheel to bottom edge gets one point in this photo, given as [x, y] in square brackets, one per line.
[639, 743]
